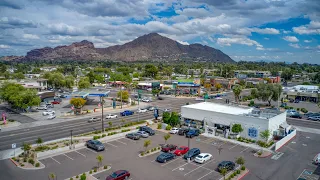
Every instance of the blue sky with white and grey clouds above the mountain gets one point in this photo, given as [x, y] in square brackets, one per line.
[278, 30]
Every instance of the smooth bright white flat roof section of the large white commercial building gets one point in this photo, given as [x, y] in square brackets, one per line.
[221, 108]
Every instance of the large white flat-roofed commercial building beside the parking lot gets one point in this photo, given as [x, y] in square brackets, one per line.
[218, 119]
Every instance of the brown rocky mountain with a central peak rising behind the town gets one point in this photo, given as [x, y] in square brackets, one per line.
[147, 47]
